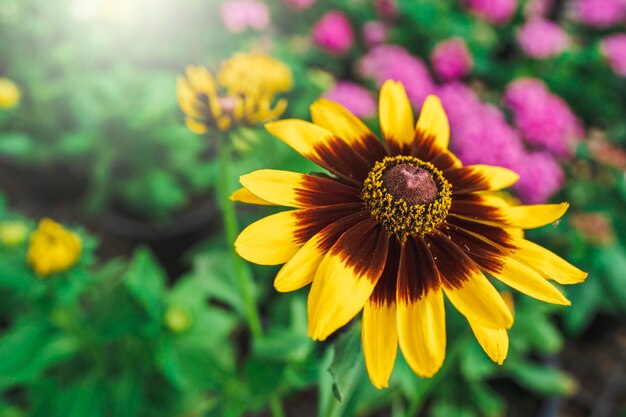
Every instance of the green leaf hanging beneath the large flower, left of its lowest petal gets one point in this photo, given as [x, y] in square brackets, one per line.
[346, 360]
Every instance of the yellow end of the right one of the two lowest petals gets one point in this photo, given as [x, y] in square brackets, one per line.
[422, 333]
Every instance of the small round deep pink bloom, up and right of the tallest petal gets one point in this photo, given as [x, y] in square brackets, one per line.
[451, 59]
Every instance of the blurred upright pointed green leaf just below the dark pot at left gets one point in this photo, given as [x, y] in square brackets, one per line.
[145, 281]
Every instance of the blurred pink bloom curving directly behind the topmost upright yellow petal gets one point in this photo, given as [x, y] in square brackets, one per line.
[391, 62]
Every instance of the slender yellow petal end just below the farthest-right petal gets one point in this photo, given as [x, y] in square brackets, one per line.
[526, 280]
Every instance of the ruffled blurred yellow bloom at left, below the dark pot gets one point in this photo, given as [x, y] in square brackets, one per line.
[53, 248]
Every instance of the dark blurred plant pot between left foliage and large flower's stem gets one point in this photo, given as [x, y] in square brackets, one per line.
[168, 240]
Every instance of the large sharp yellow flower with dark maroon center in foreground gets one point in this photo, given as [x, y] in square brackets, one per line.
[395, 228]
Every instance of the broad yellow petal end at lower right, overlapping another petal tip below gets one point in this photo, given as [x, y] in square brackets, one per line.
[479, 301]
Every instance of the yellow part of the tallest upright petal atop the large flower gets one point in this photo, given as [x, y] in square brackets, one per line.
[396, 114]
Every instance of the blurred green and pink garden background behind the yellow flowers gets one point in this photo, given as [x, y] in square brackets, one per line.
[150, 320]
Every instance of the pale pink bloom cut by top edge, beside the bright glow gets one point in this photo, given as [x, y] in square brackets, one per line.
[239, 15]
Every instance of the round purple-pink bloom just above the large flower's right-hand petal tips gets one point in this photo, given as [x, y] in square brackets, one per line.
[540, 177]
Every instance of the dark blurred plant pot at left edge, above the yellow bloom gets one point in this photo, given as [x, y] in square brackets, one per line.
[53, 183]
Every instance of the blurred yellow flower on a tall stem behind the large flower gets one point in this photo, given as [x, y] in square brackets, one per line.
[243, 93]
